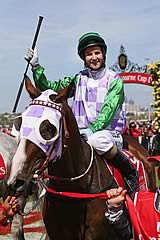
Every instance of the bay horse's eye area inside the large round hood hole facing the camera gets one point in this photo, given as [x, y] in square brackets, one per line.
[47, 130]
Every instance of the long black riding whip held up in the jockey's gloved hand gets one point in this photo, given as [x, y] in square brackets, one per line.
[33, 47]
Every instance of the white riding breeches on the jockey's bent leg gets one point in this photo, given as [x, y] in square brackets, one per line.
[103, 140]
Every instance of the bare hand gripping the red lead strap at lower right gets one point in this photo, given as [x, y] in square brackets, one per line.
[116, 196]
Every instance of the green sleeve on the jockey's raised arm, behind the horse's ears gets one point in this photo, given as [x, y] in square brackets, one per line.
[42, 83]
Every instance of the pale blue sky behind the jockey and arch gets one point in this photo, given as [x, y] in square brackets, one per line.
[134, 24]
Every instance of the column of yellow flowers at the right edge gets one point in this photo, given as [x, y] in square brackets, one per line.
[154, 69]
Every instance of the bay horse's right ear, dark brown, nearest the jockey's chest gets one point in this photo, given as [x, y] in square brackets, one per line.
[65, 93]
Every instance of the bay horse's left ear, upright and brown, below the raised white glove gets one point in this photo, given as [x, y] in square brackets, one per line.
[31, 89]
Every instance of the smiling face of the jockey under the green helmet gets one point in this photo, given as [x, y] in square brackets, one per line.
[94, 58]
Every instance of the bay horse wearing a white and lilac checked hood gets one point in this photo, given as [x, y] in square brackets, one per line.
[50, 138]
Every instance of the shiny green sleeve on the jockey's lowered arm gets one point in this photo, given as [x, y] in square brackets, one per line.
[113, 101]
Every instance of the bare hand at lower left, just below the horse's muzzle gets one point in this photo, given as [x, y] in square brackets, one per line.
[11, 206]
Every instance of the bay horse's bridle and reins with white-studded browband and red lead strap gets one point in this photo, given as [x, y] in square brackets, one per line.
[39, 174]
